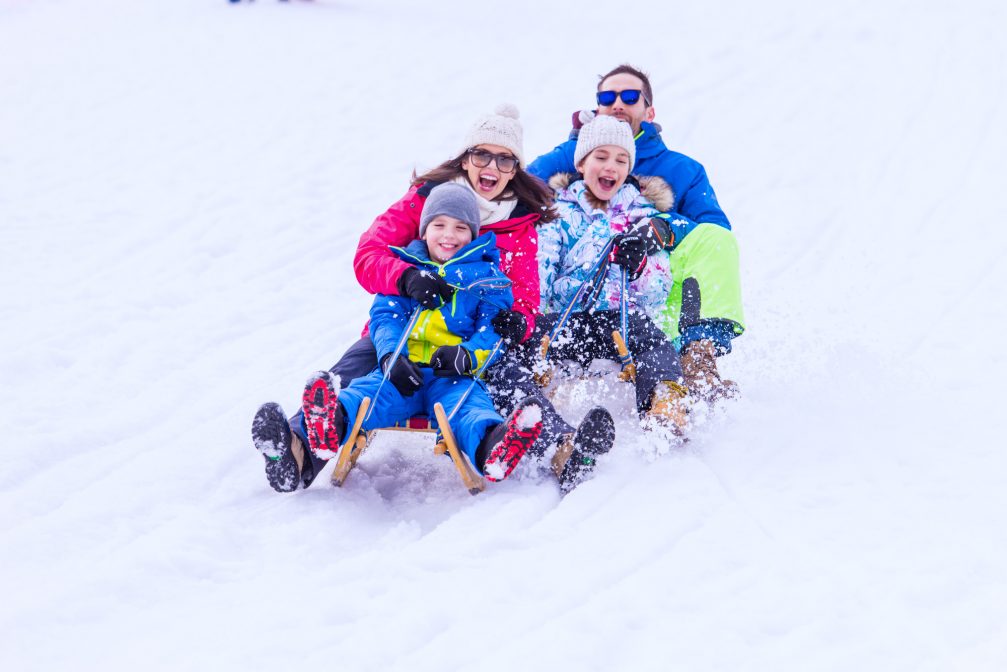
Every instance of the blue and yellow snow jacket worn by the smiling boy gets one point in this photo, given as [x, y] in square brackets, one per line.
[482, 291]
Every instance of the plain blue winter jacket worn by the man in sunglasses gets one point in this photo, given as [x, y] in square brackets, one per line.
[695, 201]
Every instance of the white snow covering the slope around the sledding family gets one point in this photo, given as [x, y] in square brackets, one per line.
[183, 186]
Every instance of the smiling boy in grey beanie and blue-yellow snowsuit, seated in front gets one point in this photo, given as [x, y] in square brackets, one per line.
[445, 350]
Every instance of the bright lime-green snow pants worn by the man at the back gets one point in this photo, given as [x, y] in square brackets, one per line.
[705, 302]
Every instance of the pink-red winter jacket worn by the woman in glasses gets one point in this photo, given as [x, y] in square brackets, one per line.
[378, 268]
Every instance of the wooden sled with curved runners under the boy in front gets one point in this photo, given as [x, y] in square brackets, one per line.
[359, 440]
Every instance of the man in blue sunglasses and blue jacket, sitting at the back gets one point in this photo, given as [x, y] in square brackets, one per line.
[704, 308]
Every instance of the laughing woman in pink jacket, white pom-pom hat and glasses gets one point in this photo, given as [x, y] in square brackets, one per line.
[512, 204]
